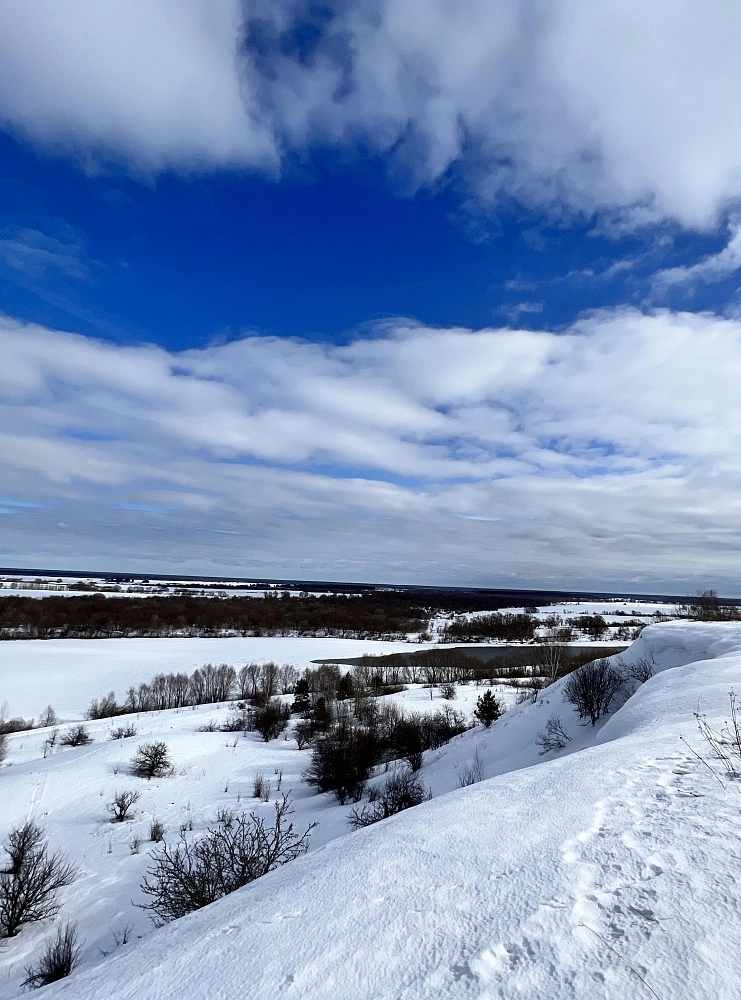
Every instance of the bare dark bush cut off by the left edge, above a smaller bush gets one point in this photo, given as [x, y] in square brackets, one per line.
[30, 880]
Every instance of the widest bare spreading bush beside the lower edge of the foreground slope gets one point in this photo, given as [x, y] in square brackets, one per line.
[193, 874]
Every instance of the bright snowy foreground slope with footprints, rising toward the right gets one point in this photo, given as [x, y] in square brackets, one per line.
[546, 881]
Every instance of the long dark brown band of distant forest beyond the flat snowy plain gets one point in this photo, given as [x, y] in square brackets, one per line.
[373, 615]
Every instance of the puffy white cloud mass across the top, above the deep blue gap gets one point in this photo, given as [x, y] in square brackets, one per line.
[626, 110]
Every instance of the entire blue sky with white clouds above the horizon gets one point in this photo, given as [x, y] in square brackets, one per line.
[406, 291]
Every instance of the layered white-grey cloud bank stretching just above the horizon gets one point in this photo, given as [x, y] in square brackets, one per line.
[609, 450]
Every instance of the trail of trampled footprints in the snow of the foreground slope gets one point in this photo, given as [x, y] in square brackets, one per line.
[612, 875]
